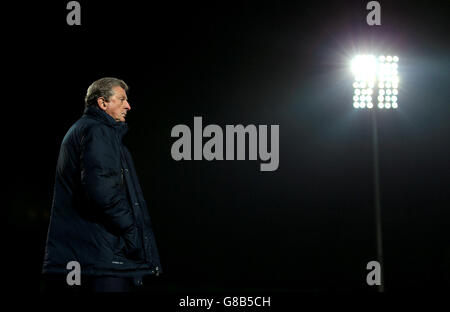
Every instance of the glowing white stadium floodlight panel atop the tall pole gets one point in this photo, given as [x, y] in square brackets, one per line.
[377, 76]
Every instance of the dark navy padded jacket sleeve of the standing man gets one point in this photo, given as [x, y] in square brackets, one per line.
[100, 179]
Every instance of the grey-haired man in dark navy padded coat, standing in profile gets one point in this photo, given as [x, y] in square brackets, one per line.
[99, 217]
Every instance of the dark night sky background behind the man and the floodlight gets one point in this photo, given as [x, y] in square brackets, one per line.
[225, 224]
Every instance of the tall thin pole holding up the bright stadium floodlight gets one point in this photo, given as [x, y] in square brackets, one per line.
[379, 236]
